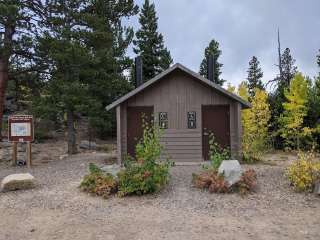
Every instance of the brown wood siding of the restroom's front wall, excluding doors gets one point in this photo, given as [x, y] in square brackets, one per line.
[177, 94]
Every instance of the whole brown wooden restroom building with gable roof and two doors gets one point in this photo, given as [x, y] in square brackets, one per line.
[187, 106]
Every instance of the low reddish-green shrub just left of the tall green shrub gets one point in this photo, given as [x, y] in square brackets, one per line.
[99, 183]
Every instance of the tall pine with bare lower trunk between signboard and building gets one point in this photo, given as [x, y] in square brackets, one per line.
[63, 46]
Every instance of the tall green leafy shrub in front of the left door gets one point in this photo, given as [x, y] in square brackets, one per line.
[145, 174]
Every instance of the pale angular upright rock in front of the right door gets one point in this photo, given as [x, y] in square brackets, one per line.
[231, 170]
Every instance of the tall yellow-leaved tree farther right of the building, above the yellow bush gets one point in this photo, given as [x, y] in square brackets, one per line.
[295, 110]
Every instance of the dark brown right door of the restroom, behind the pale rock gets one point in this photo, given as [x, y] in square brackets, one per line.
[215, 119]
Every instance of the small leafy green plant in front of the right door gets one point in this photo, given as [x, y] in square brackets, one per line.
[217, 153]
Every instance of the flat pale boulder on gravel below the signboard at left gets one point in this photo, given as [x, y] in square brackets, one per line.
[17, 182]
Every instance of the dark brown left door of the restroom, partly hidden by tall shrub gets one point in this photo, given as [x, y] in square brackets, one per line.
[134, 126]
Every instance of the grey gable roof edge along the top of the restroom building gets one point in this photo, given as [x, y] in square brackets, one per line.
[208, 83]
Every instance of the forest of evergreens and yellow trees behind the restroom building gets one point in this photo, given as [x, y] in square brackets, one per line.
[64, 60]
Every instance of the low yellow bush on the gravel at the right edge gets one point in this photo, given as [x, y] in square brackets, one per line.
[304, 172]
